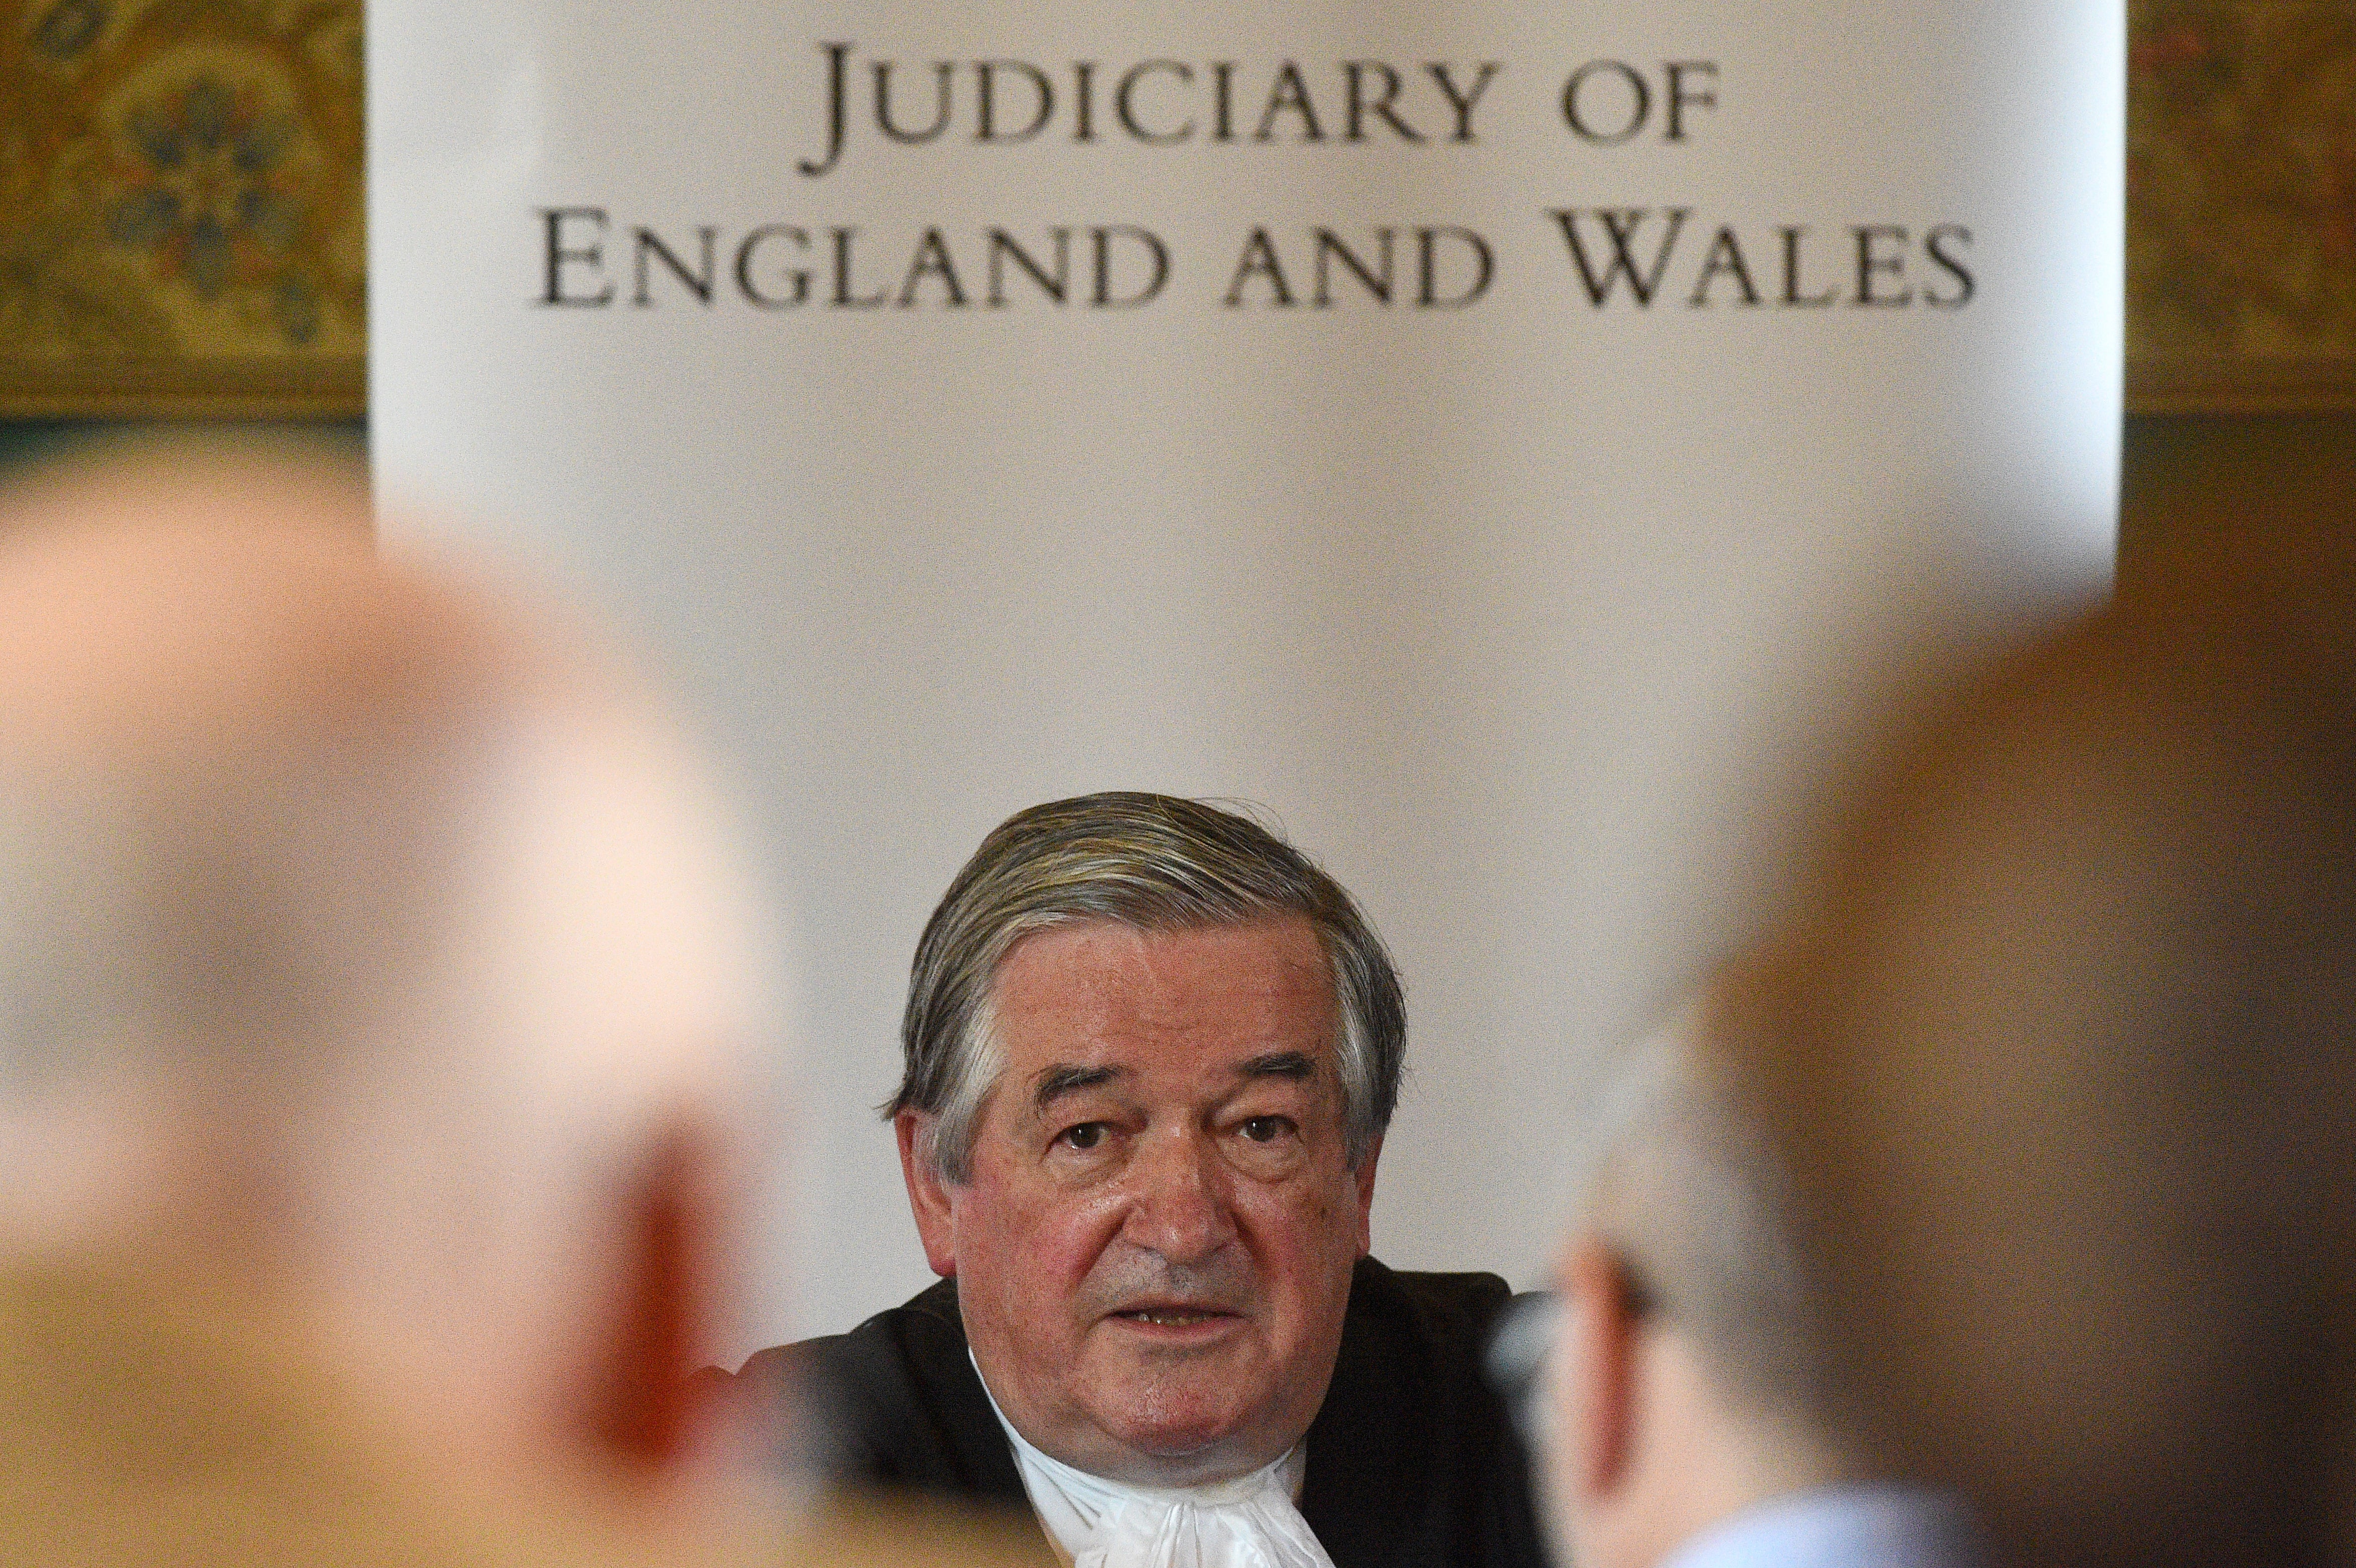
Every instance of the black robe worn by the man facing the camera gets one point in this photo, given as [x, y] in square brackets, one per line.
[1410, 1463]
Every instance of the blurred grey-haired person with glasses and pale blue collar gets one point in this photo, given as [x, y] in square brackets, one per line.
[1688, 1409]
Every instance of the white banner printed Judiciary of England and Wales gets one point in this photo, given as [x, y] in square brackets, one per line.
[1504, 441]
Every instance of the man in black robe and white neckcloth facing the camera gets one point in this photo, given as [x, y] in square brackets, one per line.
[1151, 1058]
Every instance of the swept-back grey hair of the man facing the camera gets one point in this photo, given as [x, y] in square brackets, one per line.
[1151, 863]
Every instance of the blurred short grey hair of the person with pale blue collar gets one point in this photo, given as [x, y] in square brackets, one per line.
[1693, 1195]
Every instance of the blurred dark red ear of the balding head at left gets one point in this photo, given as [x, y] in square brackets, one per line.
[644, 1409]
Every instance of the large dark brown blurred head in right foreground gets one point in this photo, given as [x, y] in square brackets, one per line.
[2067, 1065]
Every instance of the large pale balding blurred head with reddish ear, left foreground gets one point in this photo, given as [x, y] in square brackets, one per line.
[373, 983]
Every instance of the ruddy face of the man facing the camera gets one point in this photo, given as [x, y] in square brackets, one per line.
[1153, 1254]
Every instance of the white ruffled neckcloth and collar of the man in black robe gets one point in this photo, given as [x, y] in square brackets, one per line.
[1092, 1522]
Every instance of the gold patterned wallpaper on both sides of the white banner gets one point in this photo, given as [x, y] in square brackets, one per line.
[183, 215]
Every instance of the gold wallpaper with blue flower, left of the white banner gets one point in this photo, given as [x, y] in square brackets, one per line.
[180, 208]
